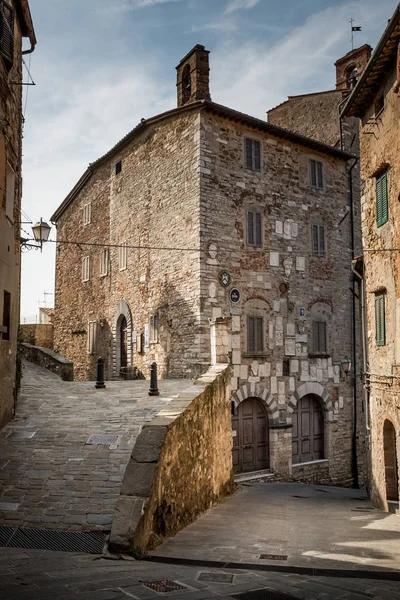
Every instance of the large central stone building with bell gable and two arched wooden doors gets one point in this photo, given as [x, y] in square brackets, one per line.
[211, 236]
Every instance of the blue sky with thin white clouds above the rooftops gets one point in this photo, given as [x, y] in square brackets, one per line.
[100, 66]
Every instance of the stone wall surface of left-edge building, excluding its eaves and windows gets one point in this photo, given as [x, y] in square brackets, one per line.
[10, 255]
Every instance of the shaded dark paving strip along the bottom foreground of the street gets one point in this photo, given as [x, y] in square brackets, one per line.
[43, 575]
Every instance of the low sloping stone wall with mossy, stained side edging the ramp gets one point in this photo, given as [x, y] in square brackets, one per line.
[180, 466]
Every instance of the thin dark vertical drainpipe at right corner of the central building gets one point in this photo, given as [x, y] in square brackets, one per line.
[354, 334]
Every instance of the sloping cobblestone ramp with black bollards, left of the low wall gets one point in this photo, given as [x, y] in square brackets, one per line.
[55, 479]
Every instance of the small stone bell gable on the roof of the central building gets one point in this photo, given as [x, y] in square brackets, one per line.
[193, 76]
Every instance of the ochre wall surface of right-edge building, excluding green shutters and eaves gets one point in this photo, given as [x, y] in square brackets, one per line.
[380, 150]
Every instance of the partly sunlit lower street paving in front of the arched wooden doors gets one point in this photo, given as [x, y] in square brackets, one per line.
[313, 526]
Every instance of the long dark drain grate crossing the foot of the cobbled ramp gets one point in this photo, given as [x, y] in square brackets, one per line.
[91, 542]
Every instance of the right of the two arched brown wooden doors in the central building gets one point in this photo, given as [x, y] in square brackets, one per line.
[307, 430]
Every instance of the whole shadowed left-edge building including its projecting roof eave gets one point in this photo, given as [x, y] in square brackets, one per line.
[15, 23]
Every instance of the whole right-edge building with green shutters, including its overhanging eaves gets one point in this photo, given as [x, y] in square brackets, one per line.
[375, 100]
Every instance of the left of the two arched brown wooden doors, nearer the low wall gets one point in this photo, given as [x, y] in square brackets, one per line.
[250, 450]
